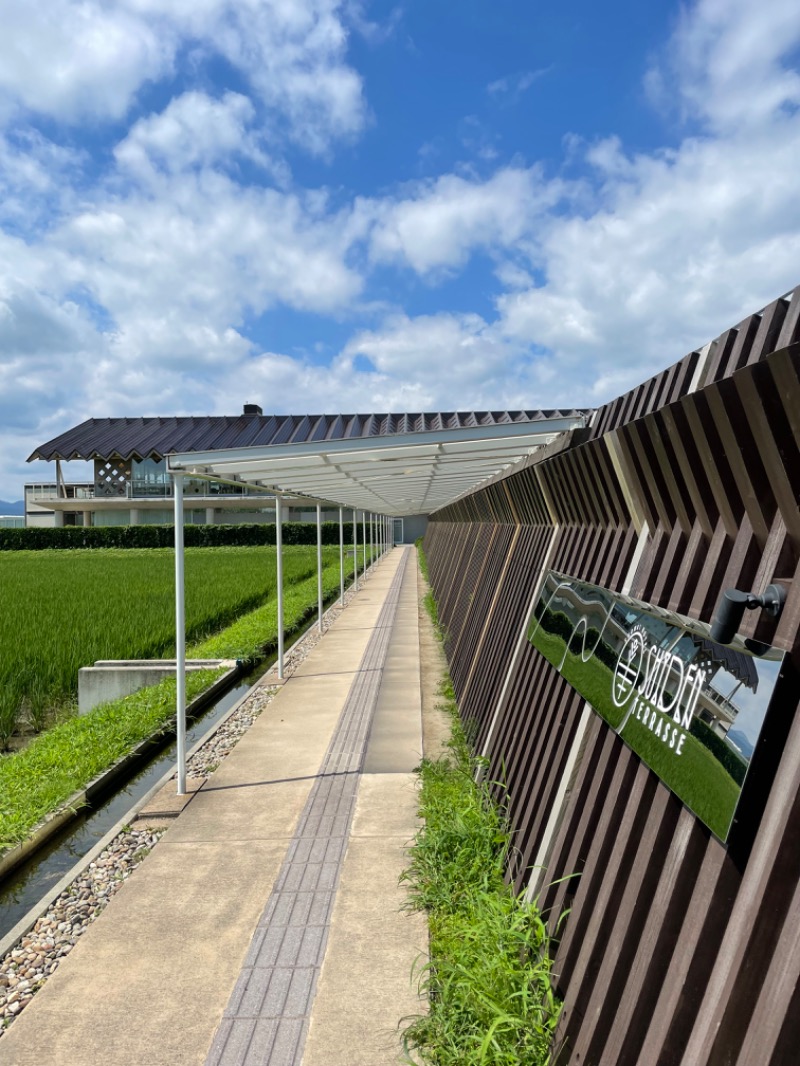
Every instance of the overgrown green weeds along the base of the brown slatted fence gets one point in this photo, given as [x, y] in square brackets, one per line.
[489, 979]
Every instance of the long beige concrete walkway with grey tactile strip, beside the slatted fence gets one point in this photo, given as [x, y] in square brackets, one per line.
[266, 928]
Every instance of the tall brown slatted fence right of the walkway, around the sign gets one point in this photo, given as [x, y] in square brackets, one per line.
[677, 950]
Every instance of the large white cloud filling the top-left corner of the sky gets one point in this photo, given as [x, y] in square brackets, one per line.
[89, 60]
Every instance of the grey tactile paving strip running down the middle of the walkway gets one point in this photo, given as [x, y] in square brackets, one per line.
[266, 1022]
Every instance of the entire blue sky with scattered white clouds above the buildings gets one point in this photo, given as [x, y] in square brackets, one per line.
[323, 206]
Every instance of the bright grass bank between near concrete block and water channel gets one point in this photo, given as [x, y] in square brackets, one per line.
[37, 782]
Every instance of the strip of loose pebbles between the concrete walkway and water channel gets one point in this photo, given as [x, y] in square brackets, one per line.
[25, 968]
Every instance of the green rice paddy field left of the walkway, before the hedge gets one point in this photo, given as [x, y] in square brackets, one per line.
[63, 610]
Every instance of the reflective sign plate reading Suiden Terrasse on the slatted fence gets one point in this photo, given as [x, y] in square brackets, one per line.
[693, 710]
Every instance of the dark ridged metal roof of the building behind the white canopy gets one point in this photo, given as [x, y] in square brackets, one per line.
[155, 438]
